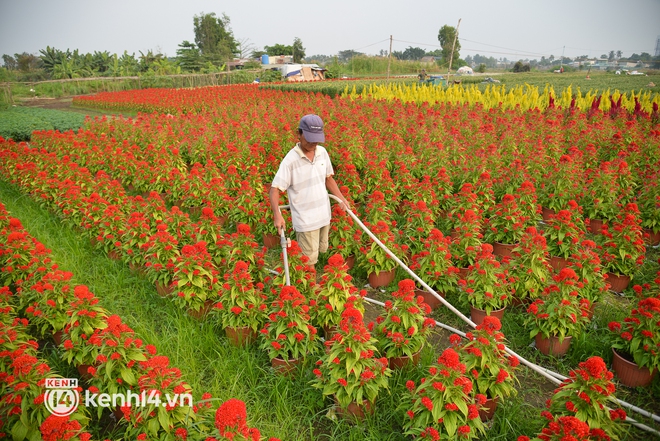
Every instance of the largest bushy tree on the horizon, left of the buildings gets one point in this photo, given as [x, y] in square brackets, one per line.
[214, 37]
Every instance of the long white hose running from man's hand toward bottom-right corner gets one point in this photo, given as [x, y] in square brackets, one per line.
[551, 376]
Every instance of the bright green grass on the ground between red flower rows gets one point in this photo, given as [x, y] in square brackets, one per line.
[278, 406]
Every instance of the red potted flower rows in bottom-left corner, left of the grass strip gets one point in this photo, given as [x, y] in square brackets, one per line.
[109, 356]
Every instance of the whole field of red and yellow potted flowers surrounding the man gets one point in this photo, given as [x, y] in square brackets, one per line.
[179, 195]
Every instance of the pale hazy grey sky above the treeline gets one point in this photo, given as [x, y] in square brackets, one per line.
[515, 29]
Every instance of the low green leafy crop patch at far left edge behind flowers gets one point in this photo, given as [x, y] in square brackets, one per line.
[18, 123]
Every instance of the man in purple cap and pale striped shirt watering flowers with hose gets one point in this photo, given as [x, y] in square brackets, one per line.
[305, 174]
